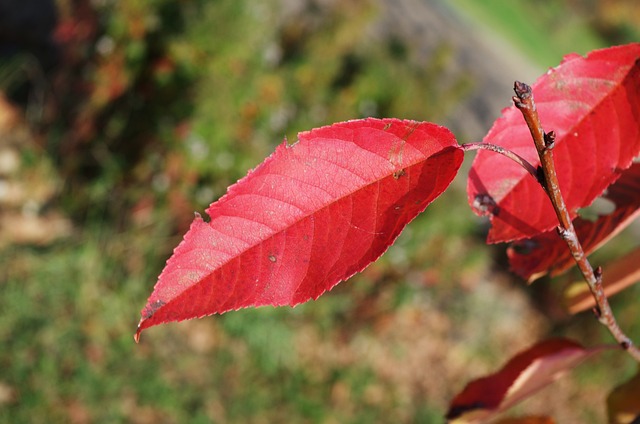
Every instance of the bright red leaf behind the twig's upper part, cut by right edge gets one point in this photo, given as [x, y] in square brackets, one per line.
[593, 105]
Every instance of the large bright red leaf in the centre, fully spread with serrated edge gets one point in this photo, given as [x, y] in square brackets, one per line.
[311, 215]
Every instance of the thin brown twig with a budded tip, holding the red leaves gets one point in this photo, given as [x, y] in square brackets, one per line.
[544, 145]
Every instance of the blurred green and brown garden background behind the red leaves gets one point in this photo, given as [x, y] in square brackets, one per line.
[119, 119]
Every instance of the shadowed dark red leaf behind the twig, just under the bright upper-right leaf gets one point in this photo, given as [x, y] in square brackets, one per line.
[533, 258]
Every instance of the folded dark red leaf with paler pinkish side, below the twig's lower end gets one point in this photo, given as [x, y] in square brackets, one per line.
[523, 375]
